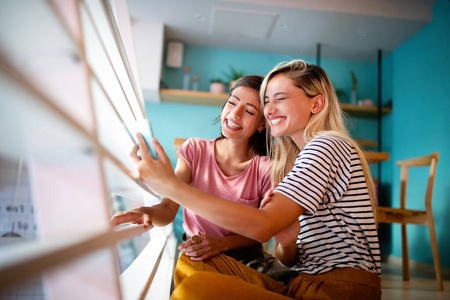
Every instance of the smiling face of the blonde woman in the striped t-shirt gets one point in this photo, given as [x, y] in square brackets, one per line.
[287, 109]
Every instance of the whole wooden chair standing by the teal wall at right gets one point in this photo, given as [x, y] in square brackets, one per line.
[405, 216]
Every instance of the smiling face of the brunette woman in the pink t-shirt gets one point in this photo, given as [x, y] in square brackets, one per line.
[241, 116]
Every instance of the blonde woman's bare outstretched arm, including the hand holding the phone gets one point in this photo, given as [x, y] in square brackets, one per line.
[258, 224]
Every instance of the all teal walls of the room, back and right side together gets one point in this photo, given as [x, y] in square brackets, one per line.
[414, 77]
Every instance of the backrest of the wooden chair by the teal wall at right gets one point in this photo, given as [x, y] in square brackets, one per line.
[429, 160]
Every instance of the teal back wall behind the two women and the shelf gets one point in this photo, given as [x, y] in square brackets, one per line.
[171, 120]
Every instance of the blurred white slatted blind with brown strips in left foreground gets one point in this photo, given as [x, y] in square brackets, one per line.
[68, 103]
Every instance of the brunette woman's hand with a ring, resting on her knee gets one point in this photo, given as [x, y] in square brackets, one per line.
[205, 249]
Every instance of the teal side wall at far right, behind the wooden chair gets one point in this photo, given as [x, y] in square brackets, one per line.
[421, 104]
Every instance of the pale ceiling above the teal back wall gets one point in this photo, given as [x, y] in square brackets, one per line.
[345, 29]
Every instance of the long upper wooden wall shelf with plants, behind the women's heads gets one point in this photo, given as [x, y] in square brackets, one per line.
[206, 98]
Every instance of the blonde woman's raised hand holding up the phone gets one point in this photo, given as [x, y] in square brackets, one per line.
[156, 173]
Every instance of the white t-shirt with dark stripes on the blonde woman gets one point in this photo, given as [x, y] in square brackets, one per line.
[337, 228]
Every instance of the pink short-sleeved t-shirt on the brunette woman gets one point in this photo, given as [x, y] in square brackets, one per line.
[247, 187]
